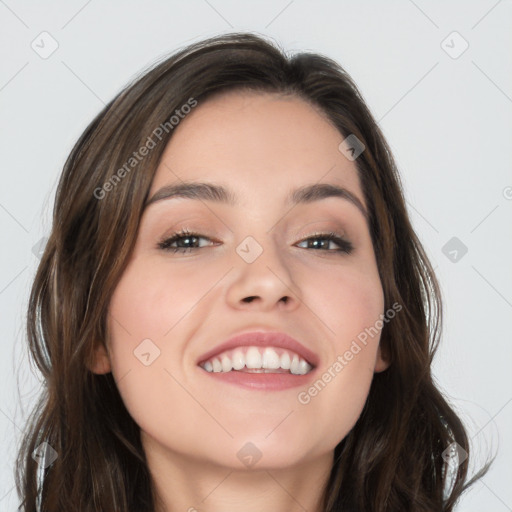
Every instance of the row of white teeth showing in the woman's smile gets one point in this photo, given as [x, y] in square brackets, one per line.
[255, 358]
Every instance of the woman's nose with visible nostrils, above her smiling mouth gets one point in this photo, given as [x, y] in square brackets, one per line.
[264, 282]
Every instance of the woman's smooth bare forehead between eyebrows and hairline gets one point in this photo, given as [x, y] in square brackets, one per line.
[256, 141]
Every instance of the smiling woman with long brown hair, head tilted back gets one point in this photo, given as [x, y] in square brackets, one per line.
[233, 310]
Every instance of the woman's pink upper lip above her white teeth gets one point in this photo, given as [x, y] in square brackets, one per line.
[263, 339]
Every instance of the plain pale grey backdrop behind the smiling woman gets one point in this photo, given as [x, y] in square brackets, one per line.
[436, 75]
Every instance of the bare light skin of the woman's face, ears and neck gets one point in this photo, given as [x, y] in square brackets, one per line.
[261, 146]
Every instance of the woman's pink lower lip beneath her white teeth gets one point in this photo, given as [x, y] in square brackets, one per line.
[262, 381]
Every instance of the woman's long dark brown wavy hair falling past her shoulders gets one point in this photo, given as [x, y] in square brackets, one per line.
[392, 459]
